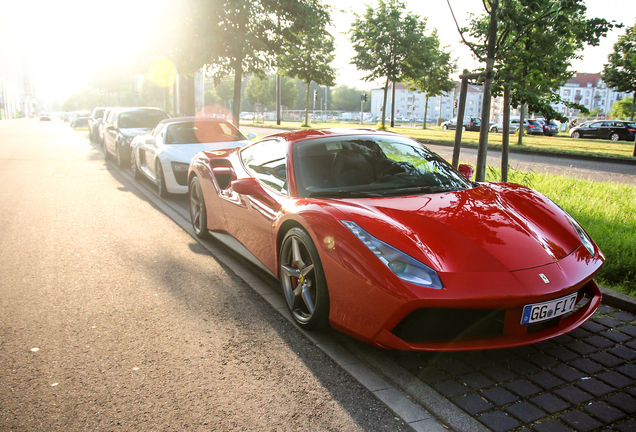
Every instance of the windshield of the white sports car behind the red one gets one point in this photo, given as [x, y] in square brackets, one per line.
[202, 131]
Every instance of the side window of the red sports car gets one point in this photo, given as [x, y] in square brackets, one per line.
[267, 162]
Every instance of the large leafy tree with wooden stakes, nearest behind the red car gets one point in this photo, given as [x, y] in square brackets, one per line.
[508, 36]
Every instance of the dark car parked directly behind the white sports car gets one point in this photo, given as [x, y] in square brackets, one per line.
[123, 125]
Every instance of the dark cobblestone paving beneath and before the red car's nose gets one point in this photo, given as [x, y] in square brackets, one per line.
[582, 381]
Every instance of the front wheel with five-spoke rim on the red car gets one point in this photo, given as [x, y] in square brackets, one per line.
[303, 280]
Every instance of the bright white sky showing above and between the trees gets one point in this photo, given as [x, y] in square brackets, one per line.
[63, 38]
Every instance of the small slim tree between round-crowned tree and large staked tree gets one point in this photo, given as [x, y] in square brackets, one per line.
[434, 75]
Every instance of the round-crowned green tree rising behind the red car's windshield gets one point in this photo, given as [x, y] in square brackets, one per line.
[388, 42]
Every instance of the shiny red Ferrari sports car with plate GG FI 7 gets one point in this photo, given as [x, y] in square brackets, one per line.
[372, 233]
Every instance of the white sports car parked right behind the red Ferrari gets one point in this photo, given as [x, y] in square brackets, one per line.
[165, 154]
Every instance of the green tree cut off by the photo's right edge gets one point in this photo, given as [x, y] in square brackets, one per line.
[620, 71]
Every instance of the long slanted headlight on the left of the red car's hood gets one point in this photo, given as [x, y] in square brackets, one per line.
[402, 265]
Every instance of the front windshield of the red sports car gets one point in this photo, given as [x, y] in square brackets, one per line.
[371, 166]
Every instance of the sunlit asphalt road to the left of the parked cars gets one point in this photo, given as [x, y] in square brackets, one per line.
[112, 317]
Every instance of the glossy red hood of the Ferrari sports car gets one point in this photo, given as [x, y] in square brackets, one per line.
[490, 228]
